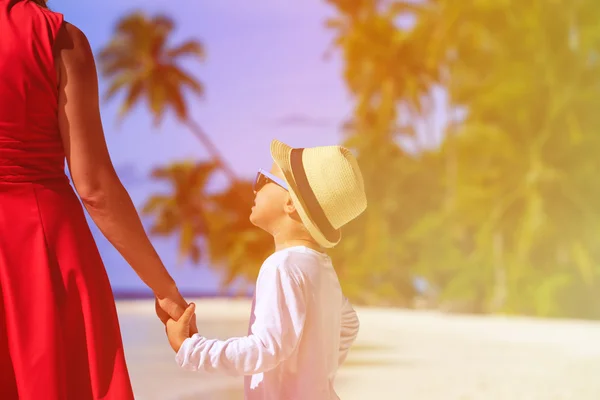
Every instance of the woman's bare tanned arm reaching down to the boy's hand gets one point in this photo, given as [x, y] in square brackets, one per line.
[92, 172]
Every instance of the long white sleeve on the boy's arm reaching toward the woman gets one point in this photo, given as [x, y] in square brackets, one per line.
[279, 311]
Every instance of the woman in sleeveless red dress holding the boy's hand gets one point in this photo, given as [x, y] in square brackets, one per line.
[59, 333]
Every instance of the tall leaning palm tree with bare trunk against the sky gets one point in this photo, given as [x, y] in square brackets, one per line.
[139, 62]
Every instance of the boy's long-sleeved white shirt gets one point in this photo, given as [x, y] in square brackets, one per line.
[301, 328]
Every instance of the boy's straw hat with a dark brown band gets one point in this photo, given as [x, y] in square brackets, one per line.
[326, 186]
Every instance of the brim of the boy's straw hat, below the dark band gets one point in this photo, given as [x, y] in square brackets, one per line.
[280, 152]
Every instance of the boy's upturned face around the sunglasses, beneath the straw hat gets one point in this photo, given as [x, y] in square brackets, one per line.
[269, 203]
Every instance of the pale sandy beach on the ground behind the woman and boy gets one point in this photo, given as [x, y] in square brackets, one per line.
[399, 355]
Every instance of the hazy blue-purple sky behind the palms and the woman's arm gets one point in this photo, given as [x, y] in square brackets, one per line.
[266, 76]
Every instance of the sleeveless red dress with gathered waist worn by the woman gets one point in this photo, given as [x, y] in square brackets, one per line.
[59, 333]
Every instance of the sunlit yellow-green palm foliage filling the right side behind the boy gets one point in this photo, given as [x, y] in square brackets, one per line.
[503, 214]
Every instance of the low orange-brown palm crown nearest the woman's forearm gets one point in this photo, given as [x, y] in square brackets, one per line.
[187, 209]
